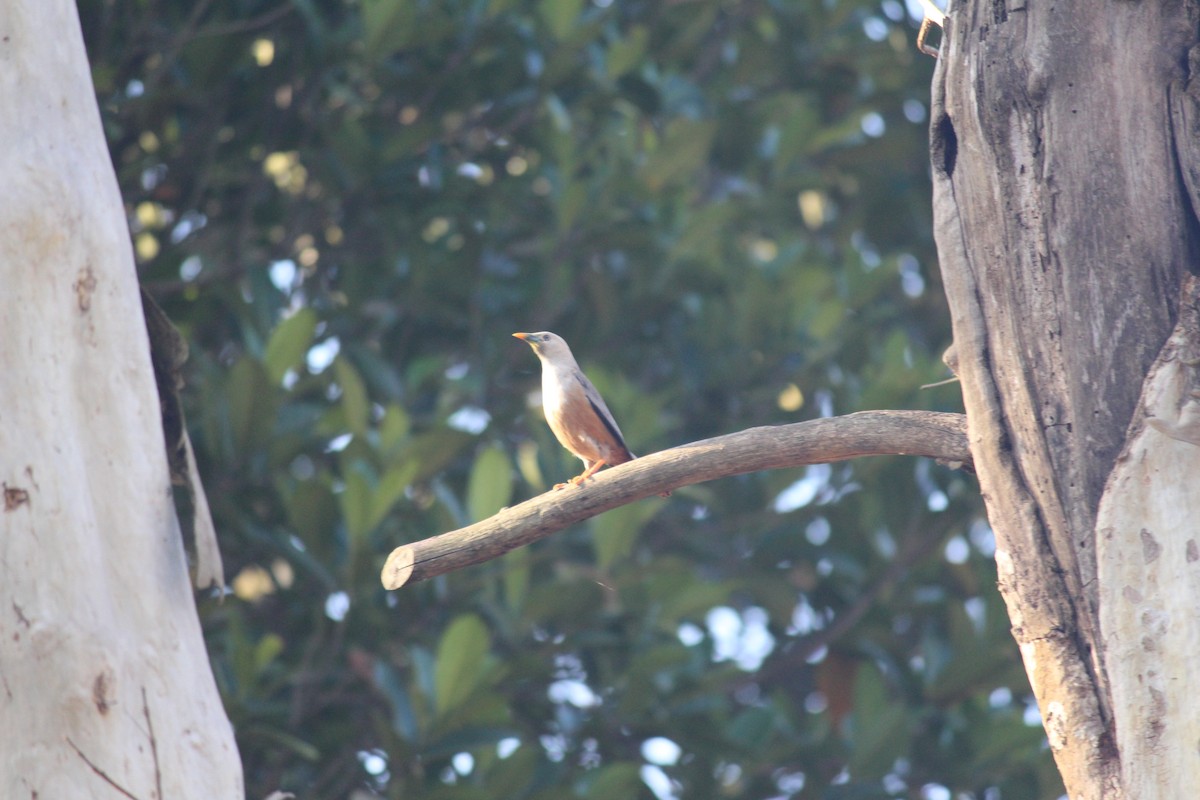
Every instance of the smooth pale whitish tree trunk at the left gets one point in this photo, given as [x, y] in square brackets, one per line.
[105, 683]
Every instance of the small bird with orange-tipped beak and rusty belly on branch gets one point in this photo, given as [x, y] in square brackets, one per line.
[574, 408]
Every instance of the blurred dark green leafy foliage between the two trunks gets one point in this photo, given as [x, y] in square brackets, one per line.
[349, 206]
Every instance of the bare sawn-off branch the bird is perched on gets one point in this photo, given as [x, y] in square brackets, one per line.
[841, 438]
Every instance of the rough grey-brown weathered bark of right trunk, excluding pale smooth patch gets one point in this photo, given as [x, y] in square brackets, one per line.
[1064, 232]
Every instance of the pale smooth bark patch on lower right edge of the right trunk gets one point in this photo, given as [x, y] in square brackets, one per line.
[1149, 569]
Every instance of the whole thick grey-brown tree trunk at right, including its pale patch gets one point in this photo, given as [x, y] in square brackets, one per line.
[1066, 236]
